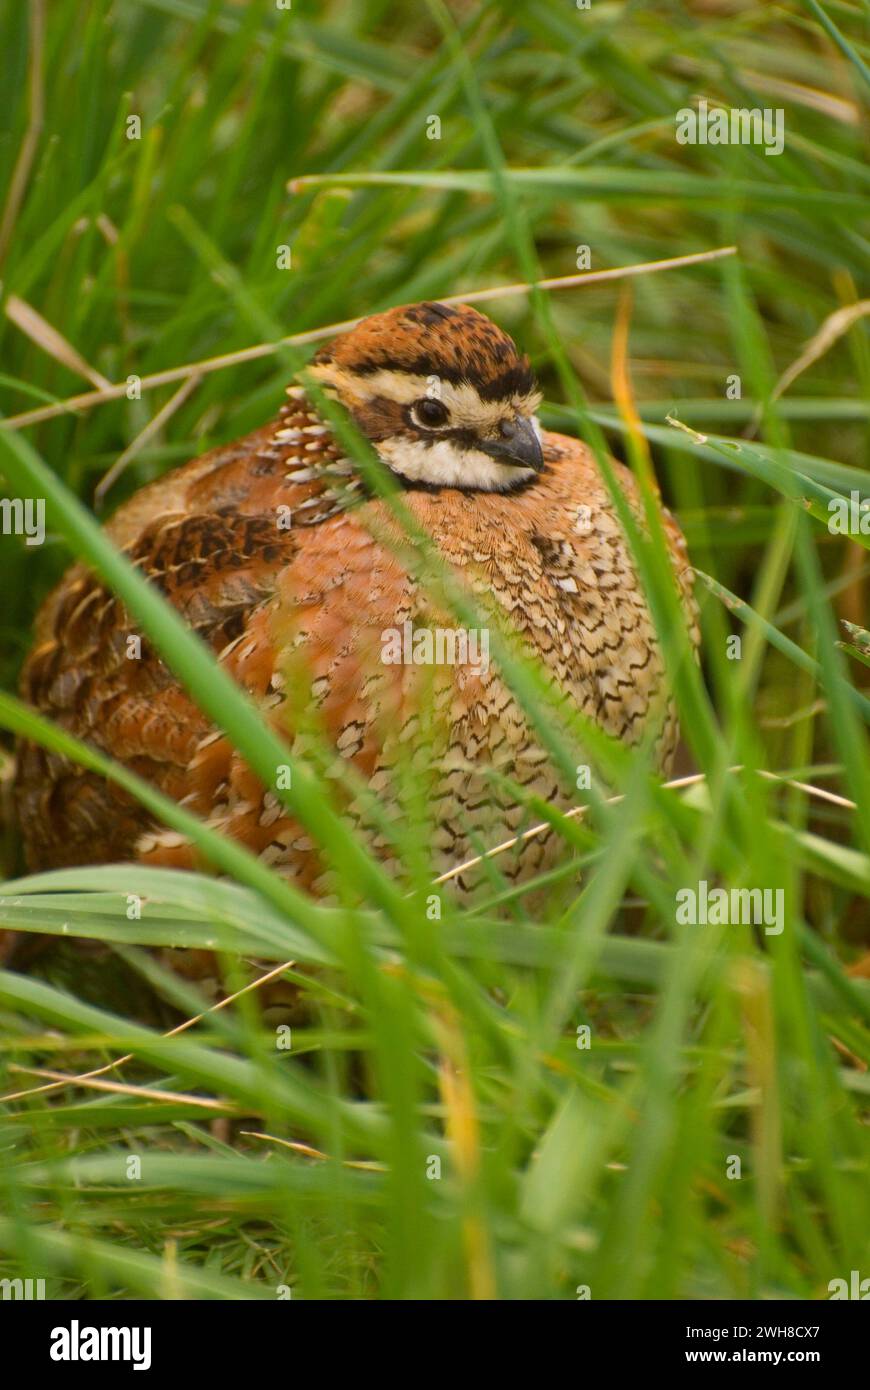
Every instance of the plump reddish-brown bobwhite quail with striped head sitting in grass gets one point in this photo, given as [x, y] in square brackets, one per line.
[266, 547]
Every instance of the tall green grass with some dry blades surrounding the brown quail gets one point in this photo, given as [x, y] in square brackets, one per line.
[438, 1128]
